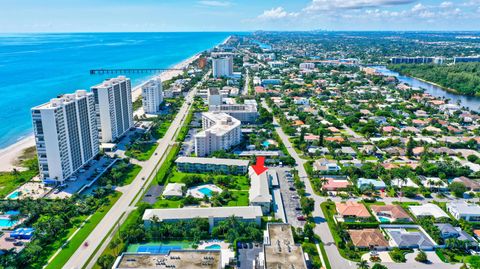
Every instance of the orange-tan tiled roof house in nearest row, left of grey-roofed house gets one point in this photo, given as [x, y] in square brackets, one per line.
[368, 238]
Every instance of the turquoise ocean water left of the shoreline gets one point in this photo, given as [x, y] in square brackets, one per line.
[37, 67]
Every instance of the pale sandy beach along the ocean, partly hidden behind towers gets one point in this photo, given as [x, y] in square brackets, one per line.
[9, 155]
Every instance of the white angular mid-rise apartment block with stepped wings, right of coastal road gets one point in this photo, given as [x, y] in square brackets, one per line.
[220, 132]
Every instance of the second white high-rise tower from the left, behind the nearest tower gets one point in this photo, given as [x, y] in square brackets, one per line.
[113, 105]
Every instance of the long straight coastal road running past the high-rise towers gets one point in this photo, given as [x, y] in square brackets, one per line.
[82, 254]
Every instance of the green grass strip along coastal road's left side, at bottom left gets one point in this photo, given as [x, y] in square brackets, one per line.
[81, 235]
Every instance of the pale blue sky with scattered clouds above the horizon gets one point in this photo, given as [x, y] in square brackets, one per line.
[236, 15]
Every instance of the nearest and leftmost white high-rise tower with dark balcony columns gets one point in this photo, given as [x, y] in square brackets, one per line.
[66, 135]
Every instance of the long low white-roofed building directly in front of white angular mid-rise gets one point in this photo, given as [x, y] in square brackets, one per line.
[212, 165]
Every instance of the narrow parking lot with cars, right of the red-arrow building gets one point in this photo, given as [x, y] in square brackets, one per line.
[291, 199]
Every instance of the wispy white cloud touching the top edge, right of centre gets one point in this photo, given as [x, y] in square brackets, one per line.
[326, 5]
